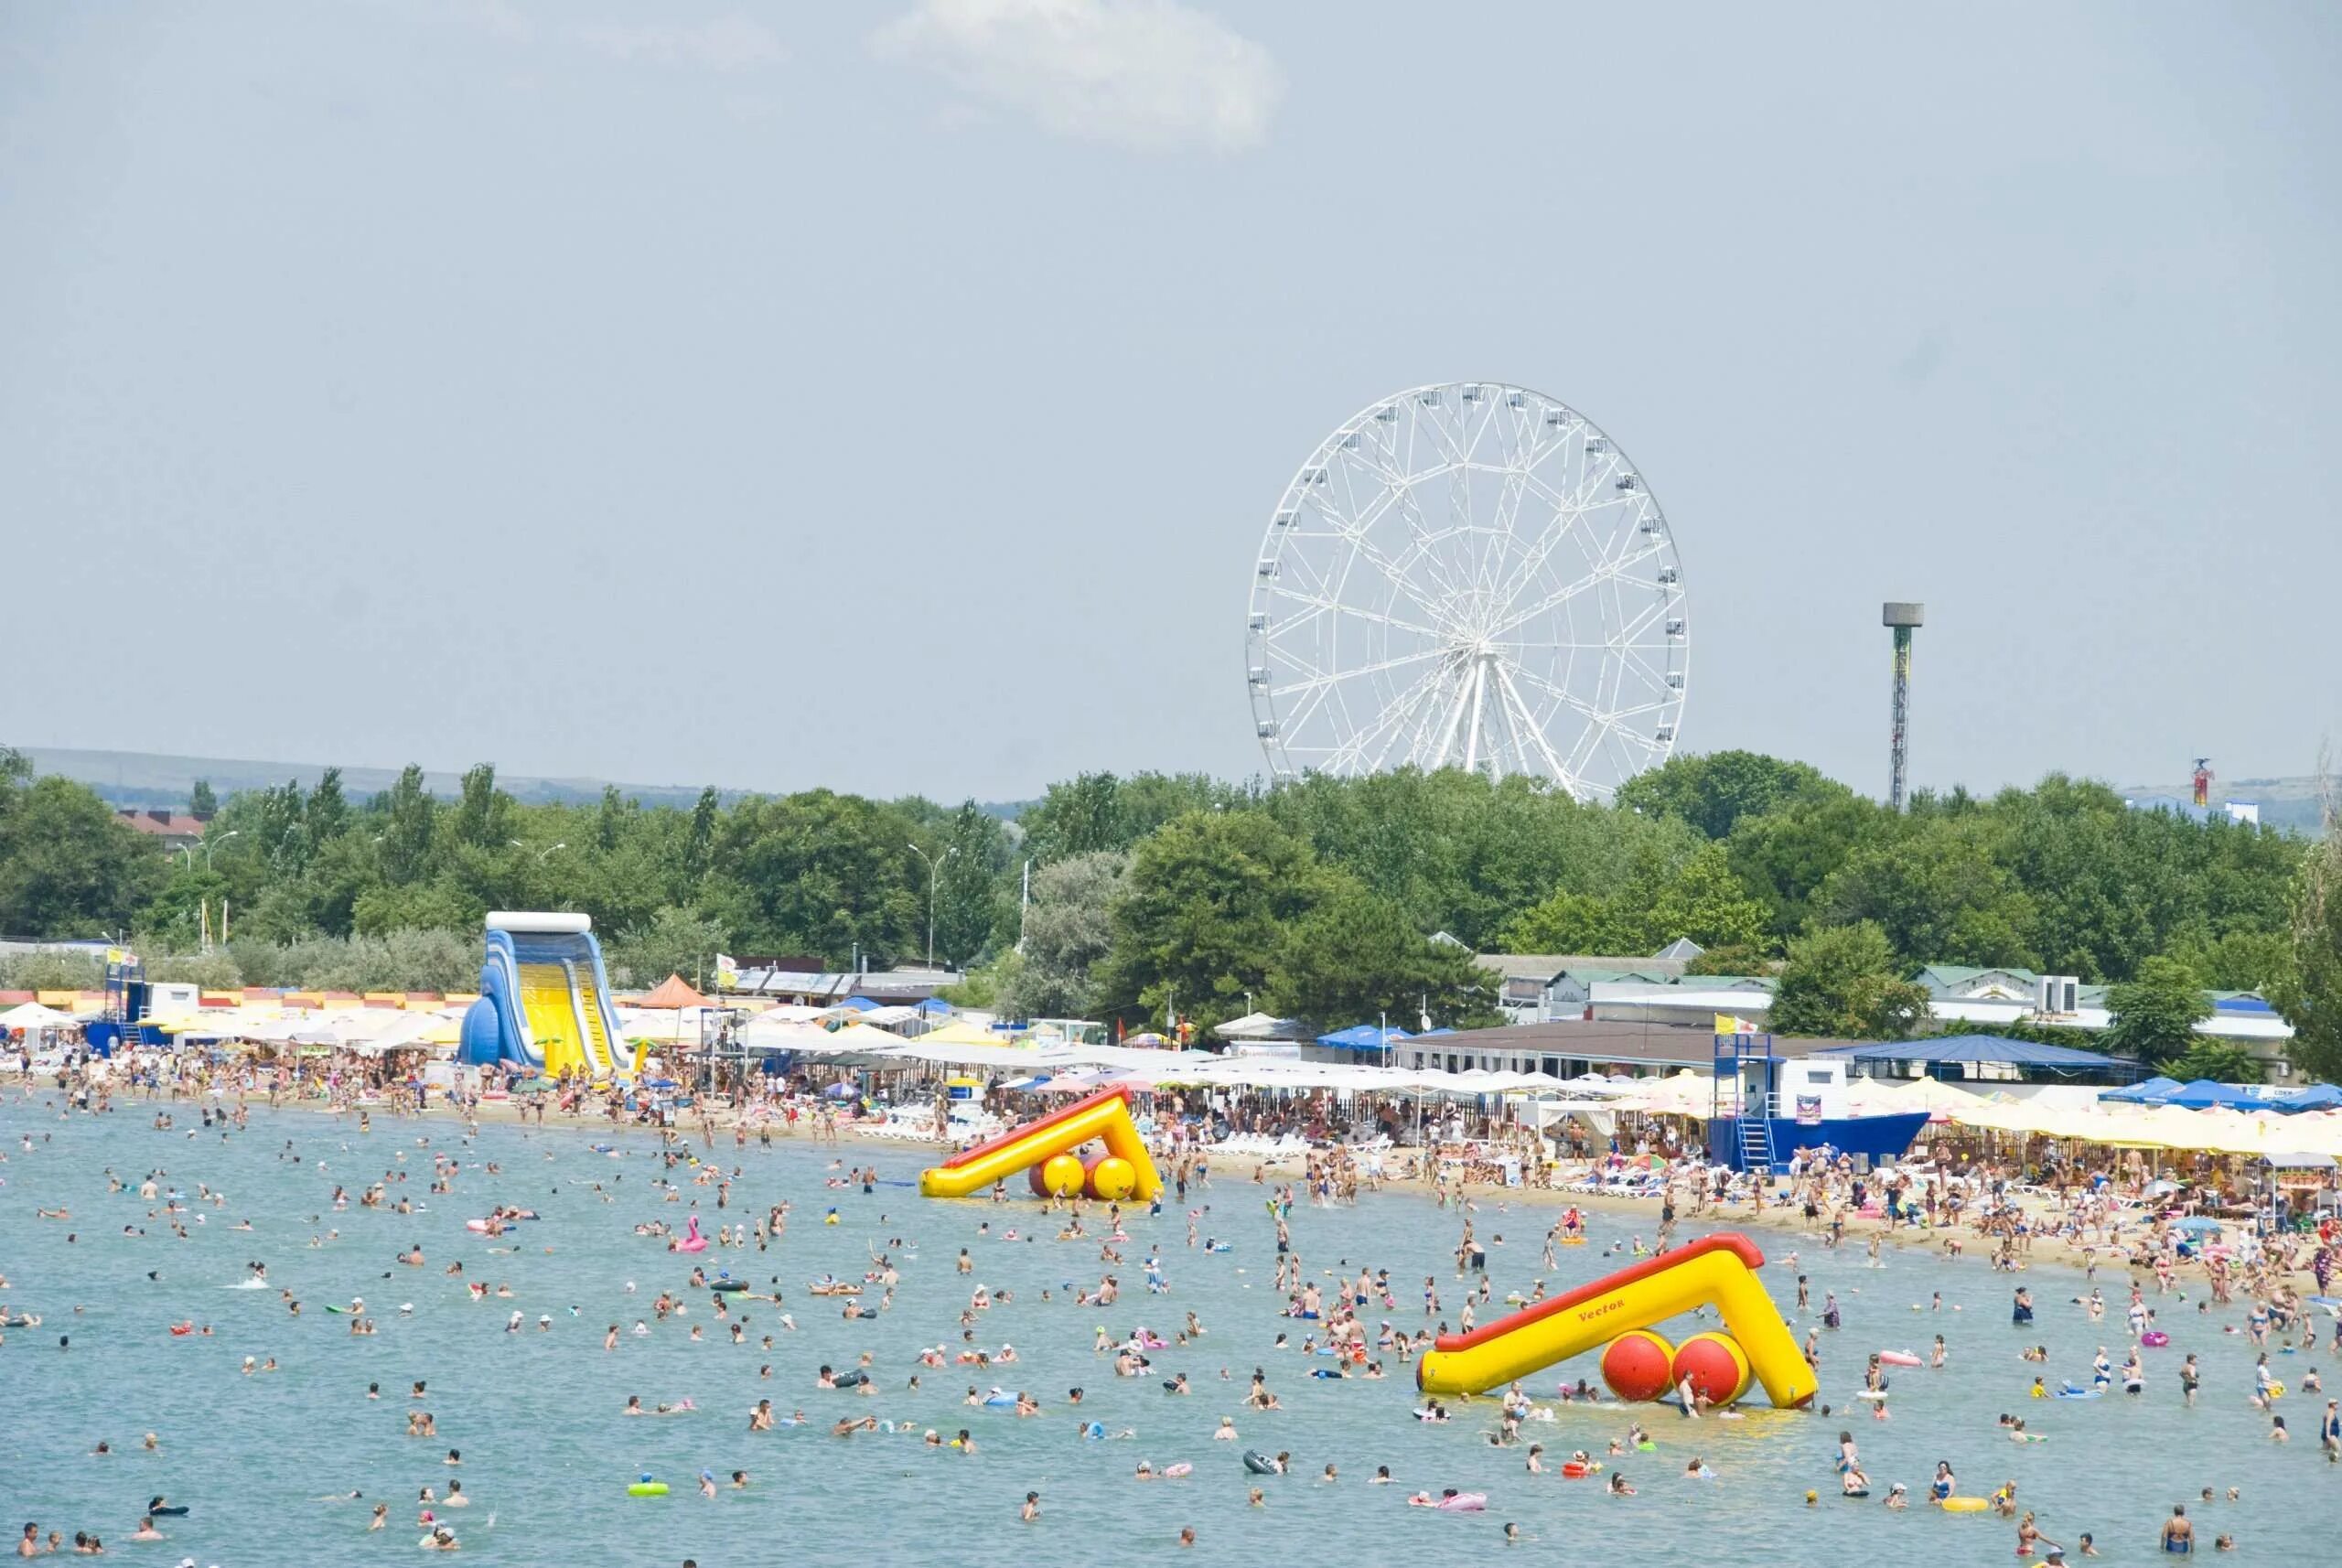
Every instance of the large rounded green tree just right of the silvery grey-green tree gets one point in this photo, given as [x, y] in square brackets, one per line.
[1200, 916]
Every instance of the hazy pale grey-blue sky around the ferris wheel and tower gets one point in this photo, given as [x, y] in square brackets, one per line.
[891, 394]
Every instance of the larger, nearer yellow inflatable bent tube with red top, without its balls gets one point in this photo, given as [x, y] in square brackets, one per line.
[1713, 1272]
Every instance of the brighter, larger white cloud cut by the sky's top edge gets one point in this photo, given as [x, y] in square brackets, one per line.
[1142, 74]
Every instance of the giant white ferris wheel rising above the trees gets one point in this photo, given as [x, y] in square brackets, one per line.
[1470, 577]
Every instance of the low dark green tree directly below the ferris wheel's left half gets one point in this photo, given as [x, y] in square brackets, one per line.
[1353, 958]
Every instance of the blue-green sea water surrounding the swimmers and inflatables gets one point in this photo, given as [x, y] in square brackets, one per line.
[549, 1457]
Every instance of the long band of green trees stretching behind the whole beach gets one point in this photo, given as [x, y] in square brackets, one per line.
[1182, 895]
